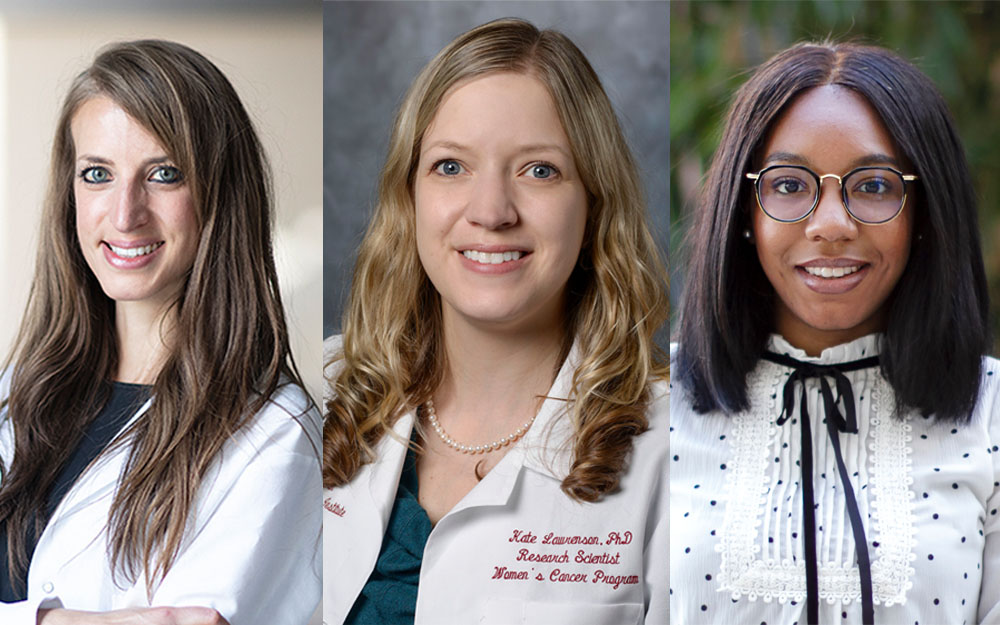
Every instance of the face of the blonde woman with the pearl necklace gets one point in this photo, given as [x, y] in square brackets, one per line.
[500, 207]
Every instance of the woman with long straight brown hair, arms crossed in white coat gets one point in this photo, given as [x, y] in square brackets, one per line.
[158, 447]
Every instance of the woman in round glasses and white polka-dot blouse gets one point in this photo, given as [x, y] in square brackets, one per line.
[834, 443]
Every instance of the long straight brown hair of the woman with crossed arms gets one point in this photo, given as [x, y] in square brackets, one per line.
[229, 351]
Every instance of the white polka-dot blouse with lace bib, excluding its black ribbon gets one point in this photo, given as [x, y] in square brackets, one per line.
[927, 492]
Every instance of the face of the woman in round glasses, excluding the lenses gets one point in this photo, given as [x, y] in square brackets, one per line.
[832, 274]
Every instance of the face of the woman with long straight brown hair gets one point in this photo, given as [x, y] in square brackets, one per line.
[135, 217]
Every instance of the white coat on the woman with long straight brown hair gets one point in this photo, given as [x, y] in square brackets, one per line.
[251, 542]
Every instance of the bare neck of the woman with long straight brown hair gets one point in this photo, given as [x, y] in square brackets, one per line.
[144, 335]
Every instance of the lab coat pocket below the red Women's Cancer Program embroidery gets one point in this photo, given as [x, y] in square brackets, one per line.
[520, 612]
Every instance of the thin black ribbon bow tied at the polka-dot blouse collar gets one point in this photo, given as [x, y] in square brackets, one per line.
[835, 423]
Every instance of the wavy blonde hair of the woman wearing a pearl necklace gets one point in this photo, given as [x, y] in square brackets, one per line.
[392, 357]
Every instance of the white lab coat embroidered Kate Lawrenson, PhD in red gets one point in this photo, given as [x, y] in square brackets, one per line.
[499, 556]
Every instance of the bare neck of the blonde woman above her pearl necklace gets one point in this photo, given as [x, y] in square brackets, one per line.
[496, 378]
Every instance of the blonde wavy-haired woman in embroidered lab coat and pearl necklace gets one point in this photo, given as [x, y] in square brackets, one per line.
[496, 433]
